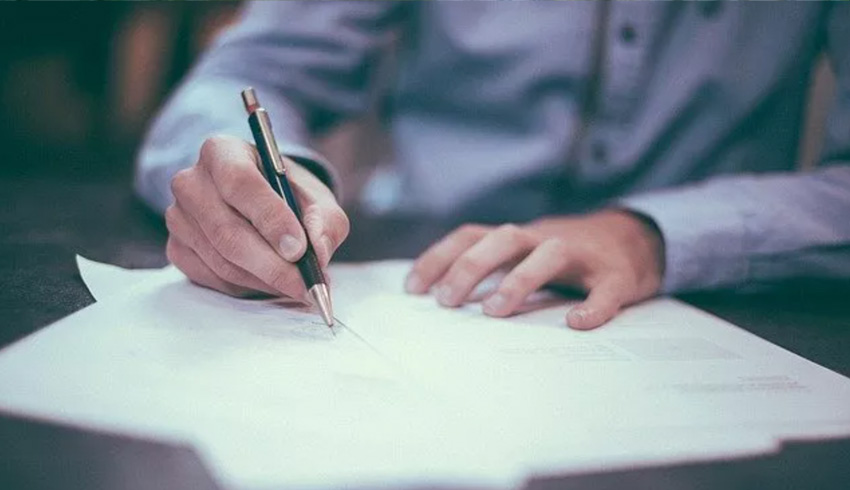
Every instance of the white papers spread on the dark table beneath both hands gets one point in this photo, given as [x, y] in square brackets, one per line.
[406, 392]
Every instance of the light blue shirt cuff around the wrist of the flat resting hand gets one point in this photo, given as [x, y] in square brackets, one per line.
[704, 238]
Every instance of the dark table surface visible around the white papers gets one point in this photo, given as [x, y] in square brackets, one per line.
[45, 223]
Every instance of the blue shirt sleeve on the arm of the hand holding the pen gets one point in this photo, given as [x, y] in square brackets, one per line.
[312, 65]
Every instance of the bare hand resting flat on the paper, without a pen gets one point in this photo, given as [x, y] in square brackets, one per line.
[614, 255]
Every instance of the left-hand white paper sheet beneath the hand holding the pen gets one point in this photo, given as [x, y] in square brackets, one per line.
[266, 394]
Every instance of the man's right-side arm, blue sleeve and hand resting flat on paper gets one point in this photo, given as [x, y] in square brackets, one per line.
[725, 232]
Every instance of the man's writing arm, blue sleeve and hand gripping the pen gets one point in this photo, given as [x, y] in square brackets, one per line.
[311, 65]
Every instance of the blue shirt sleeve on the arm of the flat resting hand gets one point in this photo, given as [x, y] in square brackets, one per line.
[736, 230]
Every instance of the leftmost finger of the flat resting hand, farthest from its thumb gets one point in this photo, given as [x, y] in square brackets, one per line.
[435, 261]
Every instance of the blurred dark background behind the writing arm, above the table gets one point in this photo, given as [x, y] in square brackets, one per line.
[79, 82]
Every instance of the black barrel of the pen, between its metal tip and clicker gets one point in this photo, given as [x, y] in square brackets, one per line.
[308, 264]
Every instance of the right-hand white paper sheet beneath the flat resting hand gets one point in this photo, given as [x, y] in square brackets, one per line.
[661, 367]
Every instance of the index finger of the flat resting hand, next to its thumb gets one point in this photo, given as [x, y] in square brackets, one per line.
[544, 264]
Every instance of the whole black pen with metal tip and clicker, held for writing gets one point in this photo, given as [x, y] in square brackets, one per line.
[274, 170]
